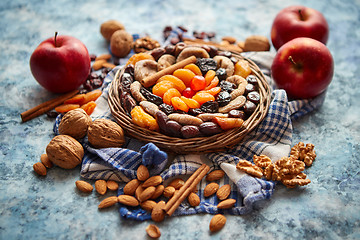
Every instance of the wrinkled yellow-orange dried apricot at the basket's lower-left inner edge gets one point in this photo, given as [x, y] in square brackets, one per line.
[143, 119]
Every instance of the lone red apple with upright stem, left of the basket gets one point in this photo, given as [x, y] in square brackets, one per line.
[60, 64]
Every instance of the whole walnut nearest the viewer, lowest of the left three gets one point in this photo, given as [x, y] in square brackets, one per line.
[65, 151]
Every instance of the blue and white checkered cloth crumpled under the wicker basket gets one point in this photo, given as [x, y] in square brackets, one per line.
[272, 137]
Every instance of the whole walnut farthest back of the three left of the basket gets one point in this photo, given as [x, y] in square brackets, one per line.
[75, 123]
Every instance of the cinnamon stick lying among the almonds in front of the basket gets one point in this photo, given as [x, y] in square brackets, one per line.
[186, 189]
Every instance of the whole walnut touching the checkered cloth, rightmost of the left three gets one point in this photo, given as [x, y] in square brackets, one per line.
[104, 133]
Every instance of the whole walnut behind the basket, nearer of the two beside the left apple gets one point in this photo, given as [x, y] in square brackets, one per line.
[121, 43]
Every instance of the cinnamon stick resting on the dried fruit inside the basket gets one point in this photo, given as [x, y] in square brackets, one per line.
[151, 80]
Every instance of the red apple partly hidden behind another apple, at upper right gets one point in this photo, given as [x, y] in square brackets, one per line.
[298, 21]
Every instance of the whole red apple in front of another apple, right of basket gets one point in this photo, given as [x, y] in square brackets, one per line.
[304, 67]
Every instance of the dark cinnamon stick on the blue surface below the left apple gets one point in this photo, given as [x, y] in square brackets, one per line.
[46, 106]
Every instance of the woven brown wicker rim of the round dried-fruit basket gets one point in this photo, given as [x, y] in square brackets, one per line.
[215, 143]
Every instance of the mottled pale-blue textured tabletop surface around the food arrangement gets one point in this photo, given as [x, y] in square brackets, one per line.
[35, 207]
